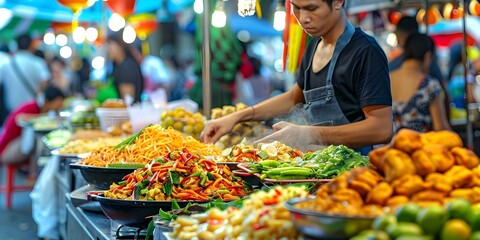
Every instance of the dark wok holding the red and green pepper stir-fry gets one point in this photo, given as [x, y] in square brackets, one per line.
[131, 212]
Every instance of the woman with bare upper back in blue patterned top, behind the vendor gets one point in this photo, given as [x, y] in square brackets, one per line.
[417, 99]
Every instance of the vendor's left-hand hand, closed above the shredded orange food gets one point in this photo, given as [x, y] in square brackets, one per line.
[217, 128]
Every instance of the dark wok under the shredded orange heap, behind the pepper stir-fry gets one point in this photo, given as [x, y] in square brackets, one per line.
[102, 177]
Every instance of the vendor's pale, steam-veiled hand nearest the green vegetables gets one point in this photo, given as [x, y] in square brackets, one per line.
[289, 134]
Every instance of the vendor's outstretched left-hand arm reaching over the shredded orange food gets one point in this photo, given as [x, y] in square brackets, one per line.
[267, 109]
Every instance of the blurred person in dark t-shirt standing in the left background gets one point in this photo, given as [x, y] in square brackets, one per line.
[127, 76]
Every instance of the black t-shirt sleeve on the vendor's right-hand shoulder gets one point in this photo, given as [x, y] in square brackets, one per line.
[373, 80]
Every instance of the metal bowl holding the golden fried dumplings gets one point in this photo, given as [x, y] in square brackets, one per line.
[318, 225]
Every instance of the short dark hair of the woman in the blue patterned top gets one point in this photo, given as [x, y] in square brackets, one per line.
[417, 45]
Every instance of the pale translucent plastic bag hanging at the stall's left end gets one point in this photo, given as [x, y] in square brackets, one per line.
[44, 201]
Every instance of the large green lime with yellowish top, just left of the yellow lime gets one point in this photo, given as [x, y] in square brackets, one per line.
[431, 219]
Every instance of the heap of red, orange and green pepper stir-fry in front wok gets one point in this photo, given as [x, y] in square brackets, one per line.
[183, 176]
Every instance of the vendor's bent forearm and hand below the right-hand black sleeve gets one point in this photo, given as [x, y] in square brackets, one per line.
[376, 128]
